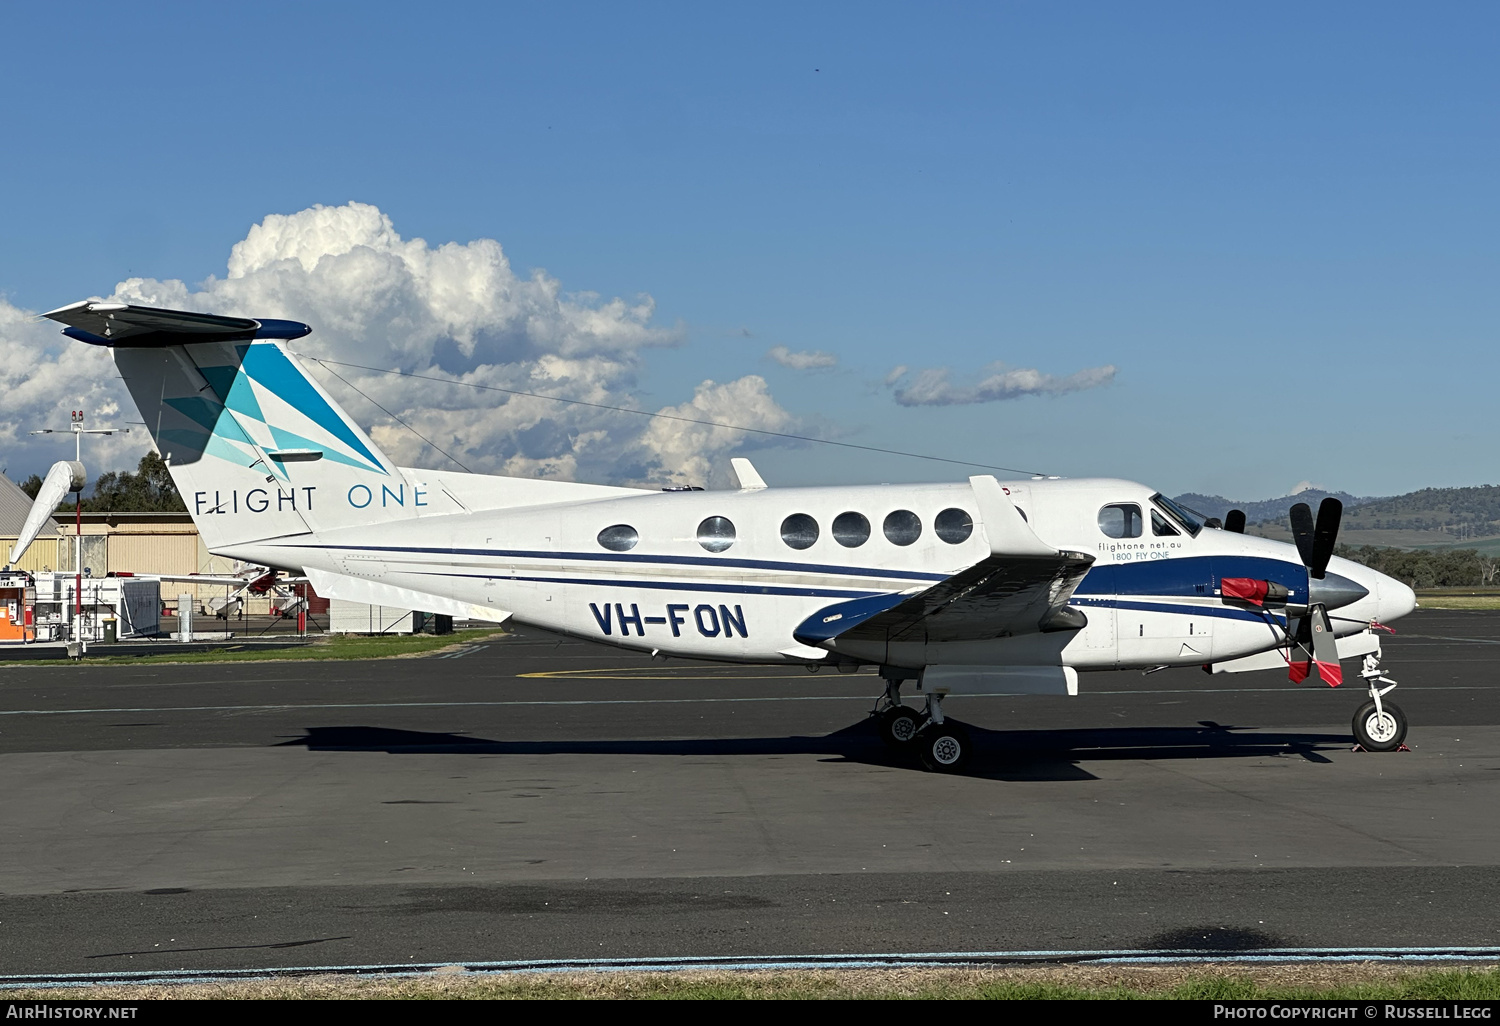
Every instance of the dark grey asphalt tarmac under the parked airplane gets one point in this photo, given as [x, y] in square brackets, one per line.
[548, 799]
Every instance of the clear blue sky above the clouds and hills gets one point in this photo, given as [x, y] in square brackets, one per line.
[1277, 223]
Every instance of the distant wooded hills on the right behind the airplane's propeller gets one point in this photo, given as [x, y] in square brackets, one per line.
[1433, 518]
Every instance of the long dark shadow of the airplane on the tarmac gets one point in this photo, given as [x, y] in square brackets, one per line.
[998, 755]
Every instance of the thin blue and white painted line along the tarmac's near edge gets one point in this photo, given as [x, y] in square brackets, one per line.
[875, 961]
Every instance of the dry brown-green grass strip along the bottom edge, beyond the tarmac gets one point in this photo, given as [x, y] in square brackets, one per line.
[1361, 982]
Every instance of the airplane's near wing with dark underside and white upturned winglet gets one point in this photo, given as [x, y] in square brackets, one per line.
[1022, 587]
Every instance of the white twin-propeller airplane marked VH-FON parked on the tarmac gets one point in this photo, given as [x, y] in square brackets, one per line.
[979, 587]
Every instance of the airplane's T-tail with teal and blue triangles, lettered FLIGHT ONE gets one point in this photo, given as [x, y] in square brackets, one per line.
[256, 446]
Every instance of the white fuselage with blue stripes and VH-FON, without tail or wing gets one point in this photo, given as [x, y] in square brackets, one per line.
[1150, 599]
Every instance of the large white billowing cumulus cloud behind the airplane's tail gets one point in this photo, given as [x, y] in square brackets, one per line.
[455, 311]
